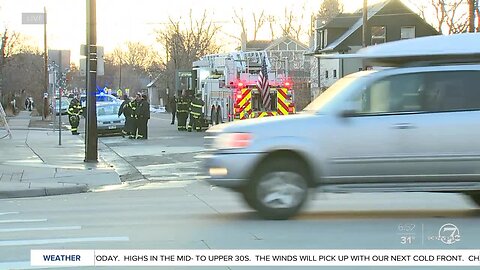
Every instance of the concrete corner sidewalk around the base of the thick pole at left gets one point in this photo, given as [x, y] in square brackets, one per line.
[32, 163]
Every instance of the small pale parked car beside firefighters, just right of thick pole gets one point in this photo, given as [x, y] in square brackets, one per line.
[108, 120]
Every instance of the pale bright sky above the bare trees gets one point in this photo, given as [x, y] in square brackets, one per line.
[119, 21]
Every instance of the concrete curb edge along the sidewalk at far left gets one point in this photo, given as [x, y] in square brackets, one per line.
[43, 191]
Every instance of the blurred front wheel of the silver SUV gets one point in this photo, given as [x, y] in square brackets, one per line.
[278, 189]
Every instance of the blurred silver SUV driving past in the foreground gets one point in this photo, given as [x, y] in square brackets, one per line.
[402, 129]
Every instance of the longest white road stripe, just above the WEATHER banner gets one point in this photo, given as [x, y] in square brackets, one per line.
[61, 241]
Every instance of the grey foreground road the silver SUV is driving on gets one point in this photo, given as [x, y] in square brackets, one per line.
[192, 215]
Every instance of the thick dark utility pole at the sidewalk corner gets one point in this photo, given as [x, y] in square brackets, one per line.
[91, 140]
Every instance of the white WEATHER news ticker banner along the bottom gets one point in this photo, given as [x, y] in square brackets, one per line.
[307, 257]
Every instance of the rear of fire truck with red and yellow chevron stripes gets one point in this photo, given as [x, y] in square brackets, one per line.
[228, 84]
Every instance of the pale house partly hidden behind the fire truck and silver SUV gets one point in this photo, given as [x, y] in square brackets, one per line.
[287, 56]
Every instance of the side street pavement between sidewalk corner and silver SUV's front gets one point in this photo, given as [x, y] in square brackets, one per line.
[167, 155]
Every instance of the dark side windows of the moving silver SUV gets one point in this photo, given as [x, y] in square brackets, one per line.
[429, 91]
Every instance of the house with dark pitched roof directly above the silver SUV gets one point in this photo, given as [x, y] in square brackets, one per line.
[389, 20]
